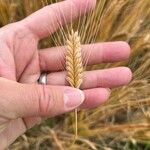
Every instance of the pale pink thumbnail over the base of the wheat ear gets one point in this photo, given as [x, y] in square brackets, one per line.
[73, 98]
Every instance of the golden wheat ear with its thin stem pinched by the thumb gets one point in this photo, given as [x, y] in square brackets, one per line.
[74, 66]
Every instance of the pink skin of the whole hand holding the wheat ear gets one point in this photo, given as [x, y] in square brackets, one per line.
[23, 102]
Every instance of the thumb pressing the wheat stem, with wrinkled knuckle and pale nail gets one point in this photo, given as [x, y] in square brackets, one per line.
[23, 100]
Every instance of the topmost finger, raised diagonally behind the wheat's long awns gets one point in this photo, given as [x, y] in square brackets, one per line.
[50, 18]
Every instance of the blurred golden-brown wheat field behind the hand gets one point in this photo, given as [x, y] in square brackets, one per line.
[123, 123]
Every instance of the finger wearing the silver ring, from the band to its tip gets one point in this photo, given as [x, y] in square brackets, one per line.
[107, 78]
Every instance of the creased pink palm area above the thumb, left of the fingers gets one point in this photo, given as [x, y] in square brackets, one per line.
[19, 54]
